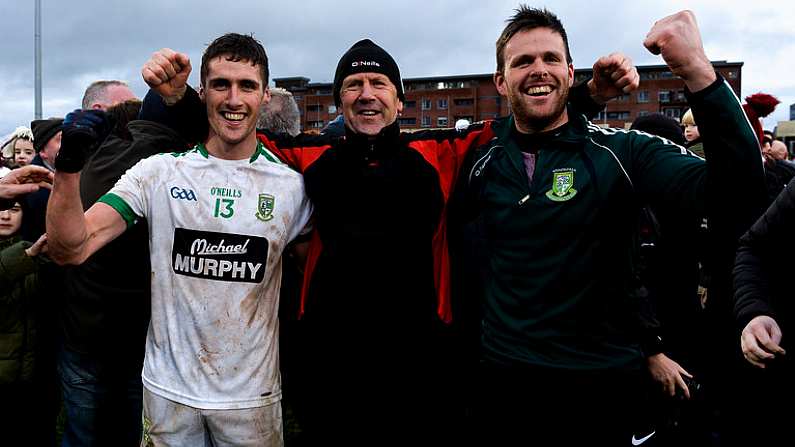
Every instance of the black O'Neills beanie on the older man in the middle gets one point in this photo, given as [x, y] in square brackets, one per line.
[366, 57]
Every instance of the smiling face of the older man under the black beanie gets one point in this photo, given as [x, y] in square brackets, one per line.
[369, 102]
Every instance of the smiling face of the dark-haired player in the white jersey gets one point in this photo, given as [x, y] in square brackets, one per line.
[233, 93]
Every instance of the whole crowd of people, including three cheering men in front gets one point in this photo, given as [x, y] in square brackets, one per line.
[191, 269]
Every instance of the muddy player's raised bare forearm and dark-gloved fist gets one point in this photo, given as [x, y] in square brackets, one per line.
[72, 235]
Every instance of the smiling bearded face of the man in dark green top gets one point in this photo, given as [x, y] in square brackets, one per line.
[536, 79]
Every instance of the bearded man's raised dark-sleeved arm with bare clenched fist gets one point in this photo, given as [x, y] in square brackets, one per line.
[730, 187]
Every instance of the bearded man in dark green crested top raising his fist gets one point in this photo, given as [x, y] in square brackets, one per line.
[553, 202]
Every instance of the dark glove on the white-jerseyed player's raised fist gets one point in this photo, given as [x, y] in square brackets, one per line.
[83, 131]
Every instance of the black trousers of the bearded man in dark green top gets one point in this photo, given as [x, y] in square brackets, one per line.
[529, 406]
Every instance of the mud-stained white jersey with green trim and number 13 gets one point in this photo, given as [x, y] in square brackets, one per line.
[217, 231]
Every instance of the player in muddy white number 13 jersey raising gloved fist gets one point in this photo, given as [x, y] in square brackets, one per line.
[219, 218]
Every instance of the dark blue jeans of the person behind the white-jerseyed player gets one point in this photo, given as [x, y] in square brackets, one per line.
[102, 397]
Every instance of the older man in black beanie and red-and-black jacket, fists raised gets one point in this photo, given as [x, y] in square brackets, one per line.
[376, 298]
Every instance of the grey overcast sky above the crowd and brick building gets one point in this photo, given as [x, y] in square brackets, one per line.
[86, 40]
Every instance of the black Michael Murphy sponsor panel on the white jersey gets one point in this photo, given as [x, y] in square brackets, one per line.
[219, 256]
